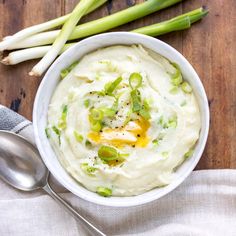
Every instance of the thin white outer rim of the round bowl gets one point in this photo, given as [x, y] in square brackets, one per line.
[101, 200]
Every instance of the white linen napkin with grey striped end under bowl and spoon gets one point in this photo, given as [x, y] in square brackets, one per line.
[205, 204]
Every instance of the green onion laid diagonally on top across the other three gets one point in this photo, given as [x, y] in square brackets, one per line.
[62, 37]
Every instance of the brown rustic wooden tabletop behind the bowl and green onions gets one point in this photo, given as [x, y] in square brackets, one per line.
[209, 45]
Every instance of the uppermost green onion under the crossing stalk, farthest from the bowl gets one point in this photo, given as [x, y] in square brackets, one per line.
[10, 41]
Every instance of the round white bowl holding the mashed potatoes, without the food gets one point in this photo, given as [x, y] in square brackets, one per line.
[51, 80]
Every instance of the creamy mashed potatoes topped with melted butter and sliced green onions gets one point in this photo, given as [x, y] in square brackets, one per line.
[122, 120]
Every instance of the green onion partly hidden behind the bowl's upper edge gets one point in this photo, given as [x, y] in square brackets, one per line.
[178, 23]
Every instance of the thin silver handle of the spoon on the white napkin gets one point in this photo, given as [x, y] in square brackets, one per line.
[92, 229]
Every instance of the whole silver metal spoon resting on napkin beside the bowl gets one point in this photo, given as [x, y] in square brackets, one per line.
[22, 168]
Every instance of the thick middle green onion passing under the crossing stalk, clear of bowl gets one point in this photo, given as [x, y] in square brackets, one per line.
[99, 25]
